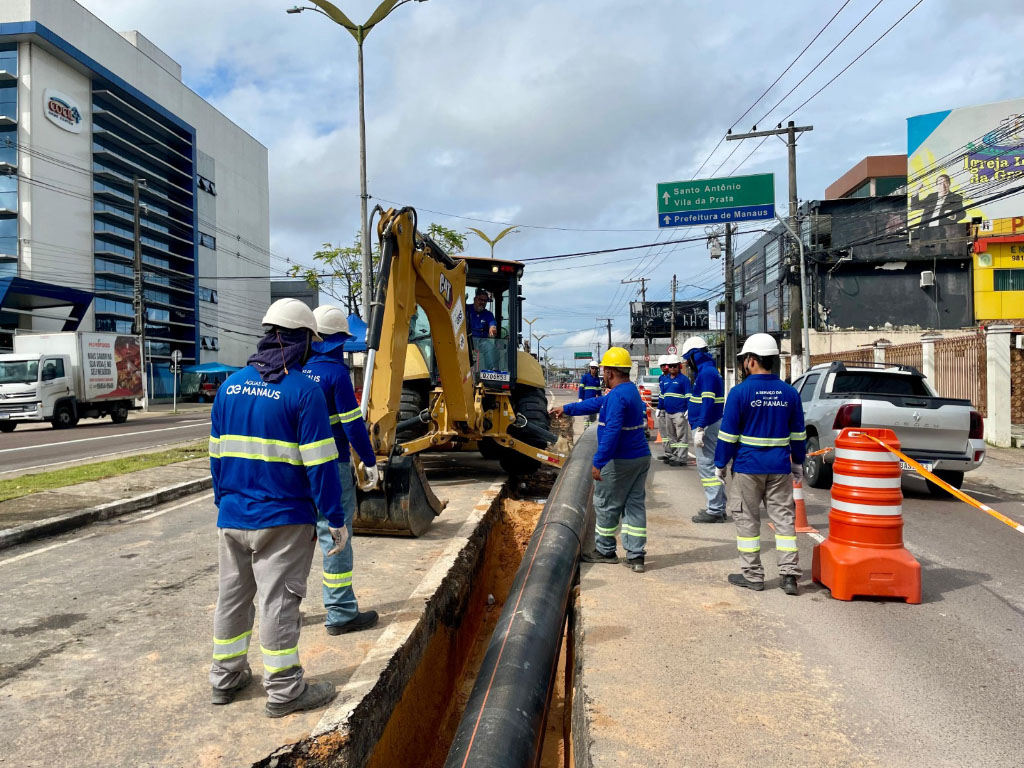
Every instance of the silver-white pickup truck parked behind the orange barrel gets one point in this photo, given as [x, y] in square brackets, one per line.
[945, 435]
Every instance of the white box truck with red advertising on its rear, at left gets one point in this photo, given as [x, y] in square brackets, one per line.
[64, 377]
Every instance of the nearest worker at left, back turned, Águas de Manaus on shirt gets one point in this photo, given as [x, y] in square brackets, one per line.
[274, 462]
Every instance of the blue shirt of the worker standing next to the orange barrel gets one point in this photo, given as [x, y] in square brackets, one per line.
[763, 428]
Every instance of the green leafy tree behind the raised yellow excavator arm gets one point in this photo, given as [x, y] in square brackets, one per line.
[337, 270]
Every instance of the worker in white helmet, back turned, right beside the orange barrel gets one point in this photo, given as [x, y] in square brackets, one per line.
[763, 437]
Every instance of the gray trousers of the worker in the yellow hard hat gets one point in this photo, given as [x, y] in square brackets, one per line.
[622, 496]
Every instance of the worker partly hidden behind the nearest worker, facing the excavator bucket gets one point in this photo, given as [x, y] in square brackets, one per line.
[327, 368]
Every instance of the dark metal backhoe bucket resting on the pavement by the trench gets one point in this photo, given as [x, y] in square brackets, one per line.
[404, 506]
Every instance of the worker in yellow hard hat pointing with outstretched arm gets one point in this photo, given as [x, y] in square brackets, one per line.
[621, 463]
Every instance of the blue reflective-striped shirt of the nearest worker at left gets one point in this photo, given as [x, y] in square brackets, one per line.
[273, 457]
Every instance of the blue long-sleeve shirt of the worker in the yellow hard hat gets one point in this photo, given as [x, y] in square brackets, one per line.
[621, 422]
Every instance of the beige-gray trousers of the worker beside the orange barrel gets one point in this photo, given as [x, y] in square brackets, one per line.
[747, 493]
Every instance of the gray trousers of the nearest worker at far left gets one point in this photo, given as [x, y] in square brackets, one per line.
[273, 564]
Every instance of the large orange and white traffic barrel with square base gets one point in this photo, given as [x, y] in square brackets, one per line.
[865, 553]
